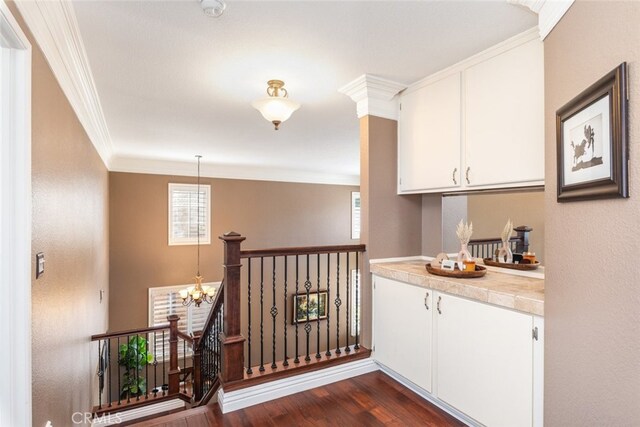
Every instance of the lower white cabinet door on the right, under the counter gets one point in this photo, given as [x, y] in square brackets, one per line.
[484, 361]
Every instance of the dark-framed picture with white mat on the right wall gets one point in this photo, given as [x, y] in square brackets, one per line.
[591, 140]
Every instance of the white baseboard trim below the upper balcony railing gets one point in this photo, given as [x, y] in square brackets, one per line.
[243, 398]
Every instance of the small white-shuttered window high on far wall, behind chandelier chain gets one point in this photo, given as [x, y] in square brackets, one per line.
[184, 216]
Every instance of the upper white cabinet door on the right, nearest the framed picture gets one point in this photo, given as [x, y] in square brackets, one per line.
[504, 118]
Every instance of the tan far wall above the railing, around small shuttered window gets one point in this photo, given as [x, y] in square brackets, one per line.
[269, 214]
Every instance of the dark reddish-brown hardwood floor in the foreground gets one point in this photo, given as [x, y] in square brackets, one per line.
[372, 399]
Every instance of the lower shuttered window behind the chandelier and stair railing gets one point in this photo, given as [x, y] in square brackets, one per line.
[165, 301]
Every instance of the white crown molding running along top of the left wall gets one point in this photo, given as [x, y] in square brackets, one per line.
[55, 28]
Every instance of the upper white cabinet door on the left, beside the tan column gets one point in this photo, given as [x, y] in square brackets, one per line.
[429, 137]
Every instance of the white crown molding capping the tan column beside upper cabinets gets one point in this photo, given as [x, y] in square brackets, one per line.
[374, 96]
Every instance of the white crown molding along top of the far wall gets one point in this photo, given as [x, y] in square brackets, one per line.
[245, 172]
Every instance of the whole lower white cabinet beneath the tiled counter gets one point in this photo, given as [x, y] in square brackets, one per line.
[483, 360]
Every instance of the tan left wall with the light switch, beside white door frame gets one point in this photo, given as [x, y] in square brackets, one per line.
[70, 225]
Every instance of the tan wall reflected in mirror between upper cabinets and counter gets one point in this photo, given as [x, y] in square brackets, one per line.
[490, 212]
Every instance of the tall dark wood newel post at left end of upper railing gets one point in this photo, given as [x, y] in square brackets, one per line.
[231, 339]
